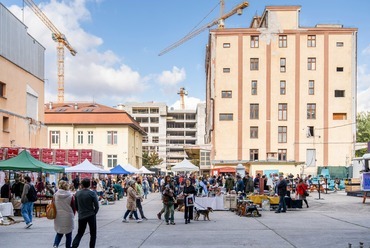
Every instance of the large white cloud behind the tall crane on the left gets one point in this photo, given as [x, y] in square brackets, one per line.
[91, 74]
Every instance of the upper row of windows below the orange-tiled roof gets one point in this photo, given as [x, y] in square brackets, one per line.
[112, 137]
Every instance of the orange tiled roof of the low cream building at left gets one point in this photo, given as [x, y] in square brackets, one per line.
[88, 114]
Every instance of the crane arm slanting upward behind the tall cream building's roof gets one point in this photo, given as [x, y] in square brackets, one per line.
[238, 9]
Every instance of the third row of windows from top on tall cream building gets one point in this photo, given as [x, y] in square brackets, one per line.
[283, 90]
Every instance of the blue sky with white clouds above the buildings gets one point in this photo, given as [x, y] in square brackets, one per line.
[118, 42]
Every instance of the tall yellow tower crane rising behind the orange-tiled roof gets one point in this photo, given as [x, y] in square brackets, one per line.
[57, 36]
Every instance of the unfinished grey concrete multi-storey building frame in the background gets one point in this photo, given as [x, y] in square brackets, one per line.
[169, 130]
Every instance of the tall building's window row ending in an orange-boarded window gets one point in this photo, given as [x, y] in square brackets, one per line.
[282, 113]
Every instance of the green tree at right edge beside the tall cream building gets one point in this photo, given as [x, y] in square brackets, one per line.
[363, 131]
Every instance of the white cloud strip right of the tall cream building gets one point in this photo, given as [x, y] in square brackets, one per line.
[363, 88]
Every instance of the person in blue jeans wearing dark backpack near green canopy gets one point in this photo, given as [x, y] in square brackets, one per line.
[29, 196]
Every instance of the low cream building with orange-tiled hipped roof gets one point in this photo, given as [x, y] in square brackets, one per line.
[94, 126]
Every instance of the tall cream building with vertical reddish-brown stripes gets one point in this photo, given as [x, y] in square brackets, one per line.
[280, 95]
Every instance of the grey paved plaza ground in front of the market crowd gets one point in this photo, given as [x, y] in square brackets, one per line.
[335, 221]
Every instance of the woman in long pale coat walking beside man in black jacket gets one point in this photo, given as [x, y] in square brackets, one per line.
[63, 222]
